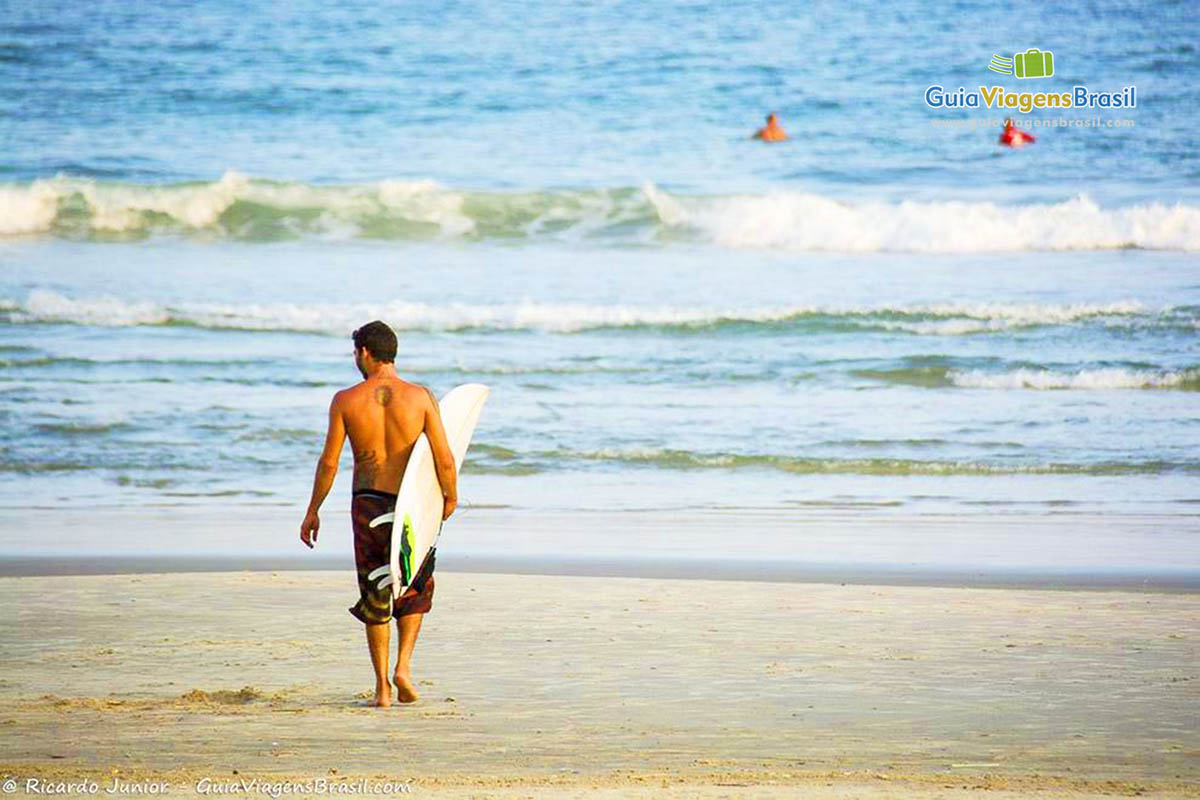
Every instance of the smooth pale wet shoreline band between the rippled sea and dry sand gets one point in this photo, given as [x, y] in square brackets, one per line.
[1135, 554]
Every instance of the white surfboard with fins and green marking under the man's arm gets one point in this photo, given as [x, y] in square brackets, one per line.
[417, 521]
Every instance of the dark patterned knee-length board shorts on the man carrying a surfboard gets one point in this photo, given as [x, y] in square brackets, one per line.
[373, 550]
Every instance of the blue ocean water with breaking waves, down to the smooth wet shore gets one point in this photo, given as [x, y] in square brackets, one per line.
[200, 203]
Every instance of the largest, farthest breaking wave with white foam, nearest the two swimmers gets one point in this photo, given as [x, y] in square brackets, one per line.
[397, 209]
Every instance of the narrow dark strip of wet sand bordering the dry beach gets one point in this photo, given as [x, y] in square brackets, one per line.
[1183, 581]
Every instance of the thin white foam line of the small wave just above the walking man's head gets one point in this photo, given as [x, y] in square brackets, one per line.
[43, 305]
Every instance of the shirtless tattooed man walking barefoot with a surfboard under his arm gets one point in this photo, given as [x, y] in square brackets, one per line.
[385, 417]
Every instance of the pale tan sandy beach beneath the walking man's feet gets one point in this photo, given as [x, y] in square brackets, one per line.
[551, 687]
